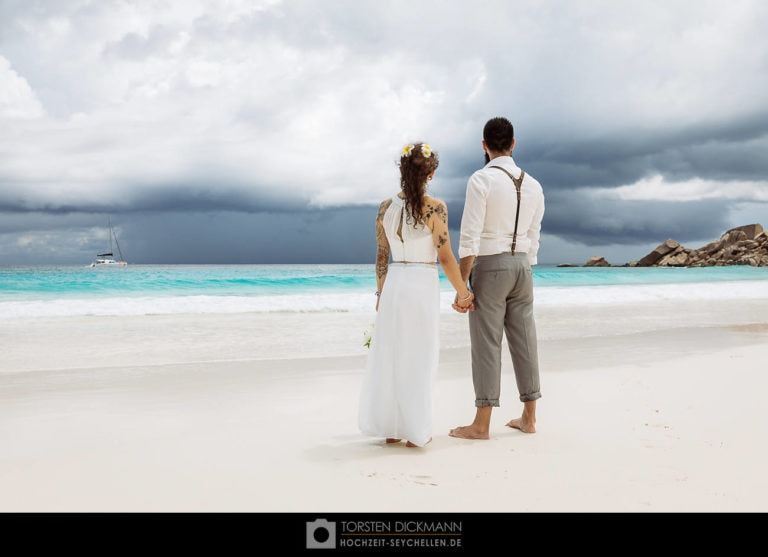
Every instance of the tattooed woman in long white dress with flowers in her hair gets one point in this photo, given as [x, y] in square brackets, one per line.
[411, 237]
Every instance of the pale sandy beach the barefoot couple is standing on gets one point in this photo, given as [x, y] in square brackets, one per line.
[194, 414]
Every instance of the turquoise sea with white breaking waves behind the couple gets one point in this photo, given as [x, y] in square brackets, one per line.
[75, 290]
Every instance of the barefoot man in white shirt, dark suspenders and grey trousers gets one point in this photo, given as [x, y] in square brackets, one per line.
[499, 242]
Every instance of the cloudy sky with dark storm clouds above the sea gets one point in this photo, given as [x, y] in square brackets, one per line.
[246, 131]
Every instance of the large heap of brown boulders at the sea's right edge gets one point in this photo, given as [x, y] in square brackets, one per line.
[743, 245]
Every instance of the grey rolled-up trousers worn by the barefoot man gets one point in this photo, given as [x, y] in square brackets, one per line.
[503, 288]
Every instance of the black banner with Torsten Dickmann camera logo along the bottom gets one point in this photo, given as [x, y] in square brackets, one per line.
[367, 533]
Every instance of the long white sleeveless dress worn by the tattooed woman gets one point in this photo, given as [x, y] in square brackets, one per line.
[396, 396]
